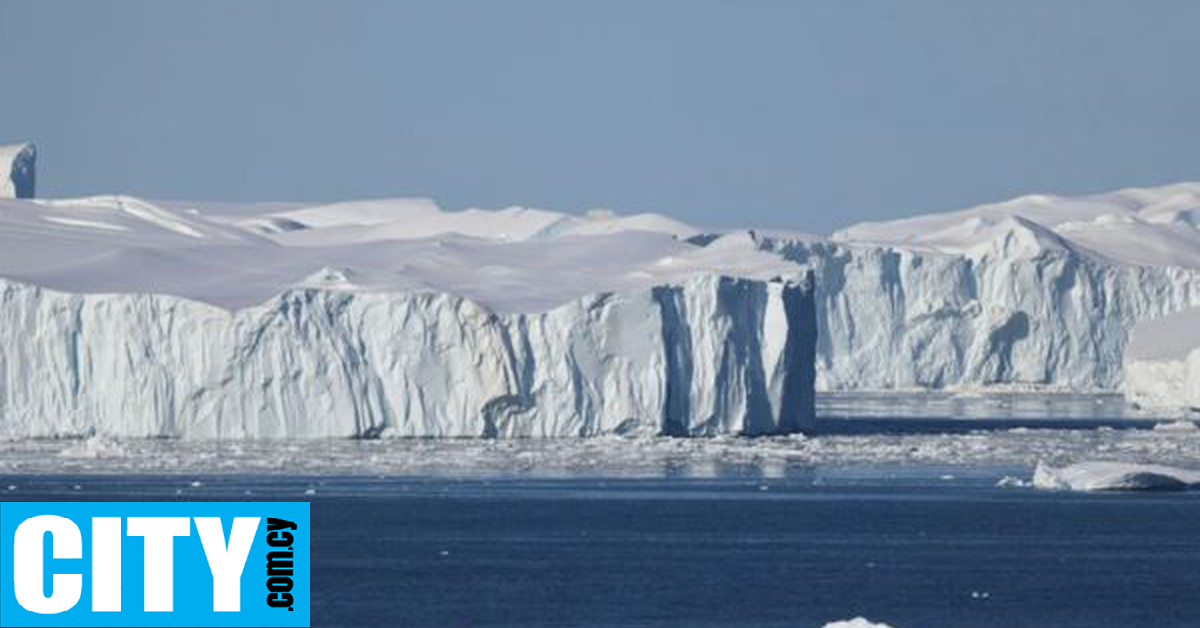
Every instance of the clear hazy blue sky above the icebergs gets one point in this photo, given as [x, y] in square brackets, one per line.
[805, 116]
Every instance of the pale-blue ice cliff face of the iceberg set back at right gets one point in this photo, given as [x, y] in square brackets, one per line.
[1018, 310]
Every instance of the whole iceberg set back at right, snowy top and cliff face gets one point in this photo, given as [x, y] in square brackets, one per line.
[1039, 292]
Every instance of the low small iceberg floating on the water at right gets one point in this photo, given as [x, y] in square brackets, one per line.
[1095, 476]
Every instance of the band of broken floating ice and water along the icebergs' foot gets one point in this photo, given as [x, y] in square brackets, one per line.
[1013, 432]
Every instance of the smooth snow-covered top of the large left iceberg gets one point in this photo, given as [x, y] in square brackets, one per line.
[238, 256]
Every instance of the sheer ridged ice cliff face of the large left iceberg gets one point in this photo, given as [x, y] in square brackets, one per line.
[712, 355]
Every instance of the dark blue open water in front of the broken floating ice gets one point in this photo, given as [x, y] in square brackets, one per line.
[916, 547]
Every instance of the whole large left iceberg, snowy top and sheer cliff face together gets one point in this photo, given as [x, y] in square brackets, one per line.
[124, 318]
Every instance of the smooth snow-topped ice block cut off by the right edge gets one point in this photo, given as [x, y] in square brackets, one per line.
[1163, 363]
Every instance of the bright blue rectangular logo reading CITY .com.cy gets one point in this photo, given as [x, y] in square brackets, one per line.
[146, 564]
